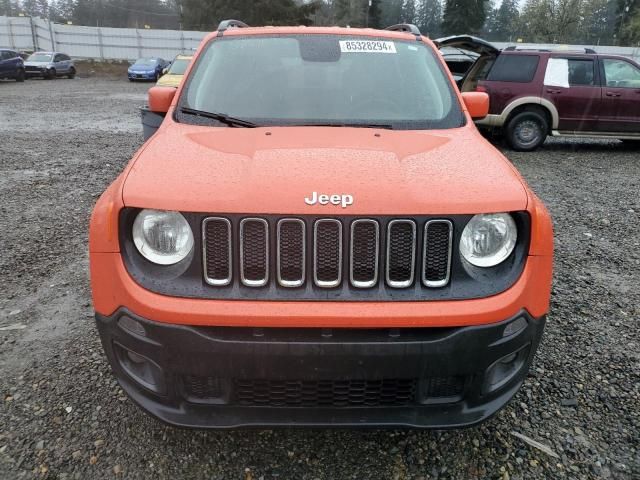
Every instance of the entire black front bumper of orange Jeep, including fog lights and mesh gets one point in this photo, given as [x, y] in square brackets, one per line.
[223, 377]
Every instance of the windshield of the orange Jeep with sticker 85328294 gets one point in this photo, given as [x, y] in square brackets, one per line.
[322, 80]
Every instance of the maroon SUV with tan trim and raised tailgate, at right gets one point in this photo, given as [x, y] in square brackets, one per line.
[535, 93]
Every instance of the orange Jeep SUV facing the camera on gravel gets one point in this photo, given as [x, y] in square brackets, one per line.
[317, 234]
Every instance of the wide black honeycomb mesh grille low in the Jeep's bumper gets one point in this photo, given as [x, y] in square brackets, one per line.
[325, 393]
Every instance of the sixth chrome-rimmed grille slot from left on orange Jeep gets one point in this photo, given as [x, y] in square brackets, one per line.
[401, 253]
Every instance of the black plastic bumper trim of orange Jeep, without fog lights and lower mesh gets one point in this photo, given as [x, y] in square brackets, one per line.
[319, 354]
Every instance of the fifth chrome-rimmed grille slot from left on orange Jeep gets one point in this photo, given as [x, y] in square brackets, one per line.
[365, 251]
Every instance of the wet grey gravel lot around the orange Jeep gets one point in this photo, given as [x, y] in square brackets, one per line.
[62, 414]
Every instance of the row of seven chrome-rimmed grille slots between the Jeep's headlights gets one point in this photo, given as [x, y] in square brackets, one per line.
[327, 253]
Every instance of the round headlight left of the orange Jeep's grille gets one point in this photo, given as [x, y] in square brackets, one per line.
[162, 237]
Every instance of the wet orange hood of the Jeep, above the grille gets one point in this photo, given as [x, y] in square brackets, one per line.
[272, 170]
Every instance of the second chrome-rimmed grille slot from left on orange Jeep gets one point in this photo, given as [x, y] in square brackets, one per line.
[254, 252]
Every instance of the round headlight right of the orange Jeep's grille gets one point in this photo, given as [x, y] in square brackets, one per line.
[488, 239]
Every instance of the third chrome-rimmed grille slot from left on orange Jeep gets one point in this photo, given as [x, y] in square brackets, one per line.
[291, 252]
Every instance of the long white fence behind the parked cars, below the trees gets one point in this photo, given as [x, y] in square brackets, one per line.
[25, 33]
